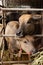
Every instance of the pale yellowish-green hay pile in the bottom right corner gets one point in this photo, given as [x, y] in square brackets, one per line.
[37, 58]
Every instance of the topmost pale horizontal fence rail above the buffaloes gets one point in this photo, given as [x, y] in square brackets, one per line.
[21, 9]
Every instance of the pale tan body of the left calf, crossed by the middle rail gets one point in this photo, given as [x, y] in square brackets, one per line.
[11, 29]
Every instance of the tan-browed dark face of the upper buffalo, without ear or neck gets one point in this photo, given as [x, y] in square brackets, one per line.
[24, 25]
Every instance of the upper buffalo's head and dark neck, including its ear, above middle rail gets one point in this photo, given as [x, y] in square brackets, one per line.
[28, 25]
